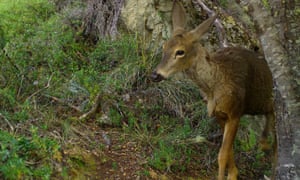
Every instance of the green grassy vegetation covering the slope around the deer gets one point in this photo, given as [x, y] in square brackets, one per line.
[50, 75]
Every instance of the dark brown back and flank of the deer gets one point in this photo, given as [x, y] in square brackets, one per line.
[249, 71]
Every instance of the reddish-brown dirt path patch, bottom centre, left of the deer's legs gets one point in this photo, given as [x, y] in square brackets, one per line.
[97, 153]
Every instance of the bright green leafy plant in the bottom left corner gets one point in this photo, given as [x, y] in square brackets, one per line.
[17, 153]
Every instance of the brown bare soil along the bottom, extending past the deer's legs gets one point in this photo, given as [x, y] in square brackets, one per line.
[94, 152]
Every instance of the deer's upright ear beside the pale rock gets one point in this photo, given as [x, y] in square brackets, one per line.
[178, 16]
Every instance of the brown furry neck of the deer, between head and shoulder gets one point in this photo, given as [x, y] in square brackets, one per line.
[203, 72]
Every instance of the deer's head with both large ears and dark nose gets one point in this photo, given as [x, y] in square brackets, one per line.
[180, 51]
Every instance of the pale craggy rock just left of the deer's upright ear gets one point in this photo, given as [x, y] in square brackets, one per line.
[149, 18]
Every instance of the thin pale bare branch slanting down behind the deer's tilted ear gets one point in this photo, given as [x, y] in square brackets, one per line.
[217, 23]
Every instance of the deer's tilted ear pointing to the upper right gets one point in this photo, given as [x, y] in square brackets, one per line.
[196, 33]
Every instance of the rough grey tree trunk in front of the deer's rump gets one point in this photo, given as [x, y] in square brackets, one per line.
[280, 51]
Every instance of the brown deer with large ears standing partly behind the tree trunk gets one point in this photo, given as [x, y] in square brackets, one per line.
[234, 81]
